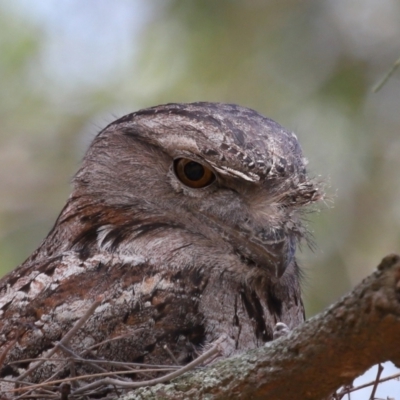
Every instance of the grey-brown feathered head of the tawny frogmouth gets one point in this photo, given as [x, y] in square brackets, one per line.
[200, 176]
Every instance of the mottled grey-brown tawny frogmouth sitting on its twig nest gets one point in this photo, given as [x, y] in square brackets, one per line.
[182, 224]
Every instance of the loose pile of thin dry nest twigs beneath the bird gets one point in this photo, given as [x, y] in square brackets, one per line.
[103, 381]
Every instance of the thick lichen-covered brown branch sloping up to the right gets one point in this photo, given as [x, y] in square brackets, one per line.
[312, 361]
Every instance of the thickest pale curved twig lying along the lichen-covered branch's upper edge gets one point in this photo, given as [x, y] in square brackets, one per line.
[132, 385]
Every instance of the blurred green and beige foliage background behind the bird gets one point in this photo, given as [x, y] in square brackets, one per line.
[66, 70]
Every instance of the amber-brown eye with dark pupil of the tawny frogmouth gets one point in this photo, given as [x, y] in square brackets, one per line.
[192, 173]
